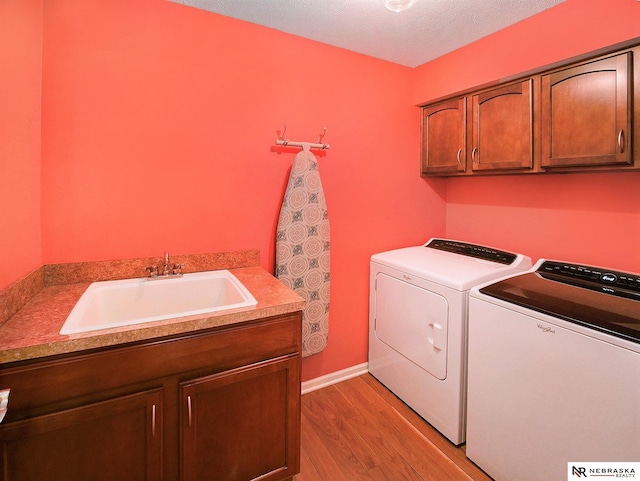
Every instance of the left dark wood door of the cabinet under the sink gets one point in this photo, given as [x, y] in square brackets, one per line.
[106, 441]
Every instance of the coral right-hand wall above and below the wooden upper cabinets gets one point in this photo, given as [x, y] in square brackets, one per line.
[587, 218]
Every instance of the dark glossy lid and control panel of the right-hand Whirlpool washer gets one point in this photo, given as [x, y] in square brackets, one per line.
[594, 297]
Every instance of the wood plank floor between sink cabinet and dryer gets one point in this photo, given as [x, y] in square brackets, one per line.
[358, 430]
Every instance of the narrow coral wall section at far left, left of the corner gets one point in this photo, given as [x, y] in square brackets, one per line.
[20, 82]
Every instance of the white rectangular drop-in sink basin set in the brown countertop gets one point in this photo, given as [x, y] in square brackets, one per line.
[125, 302]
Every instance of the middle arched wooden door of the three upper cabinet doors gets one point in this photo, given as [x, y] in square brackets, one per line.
[503, 128]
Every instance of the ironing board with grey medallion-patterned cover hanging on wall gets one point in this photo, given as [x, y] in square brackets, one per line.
[302, 248]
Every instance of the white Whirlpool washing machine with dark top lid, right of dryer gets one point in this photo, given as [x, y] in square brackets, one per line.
[554, 373]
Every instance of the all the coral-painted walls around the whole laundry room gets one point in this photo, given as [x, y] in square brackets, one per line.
[158, 123]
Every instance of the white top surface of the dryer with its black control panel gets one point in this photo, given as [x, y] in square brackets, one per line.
[451, 267]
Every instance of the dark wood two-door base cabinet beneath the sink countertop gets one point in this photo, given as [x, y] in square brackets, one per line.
[219, 404]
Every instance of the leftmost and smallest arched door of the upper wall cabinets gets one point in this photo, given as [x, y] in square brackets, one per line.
[444, 137]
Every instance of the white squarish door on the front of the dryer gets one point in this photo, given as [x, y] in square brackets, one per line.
[412, 321]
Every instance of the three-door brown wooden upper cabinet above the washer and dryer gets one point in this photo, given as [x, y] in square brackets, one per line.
[579, 115]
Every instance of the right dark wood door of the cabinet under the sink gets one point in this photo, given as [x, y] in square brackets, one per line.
[243, 424]
